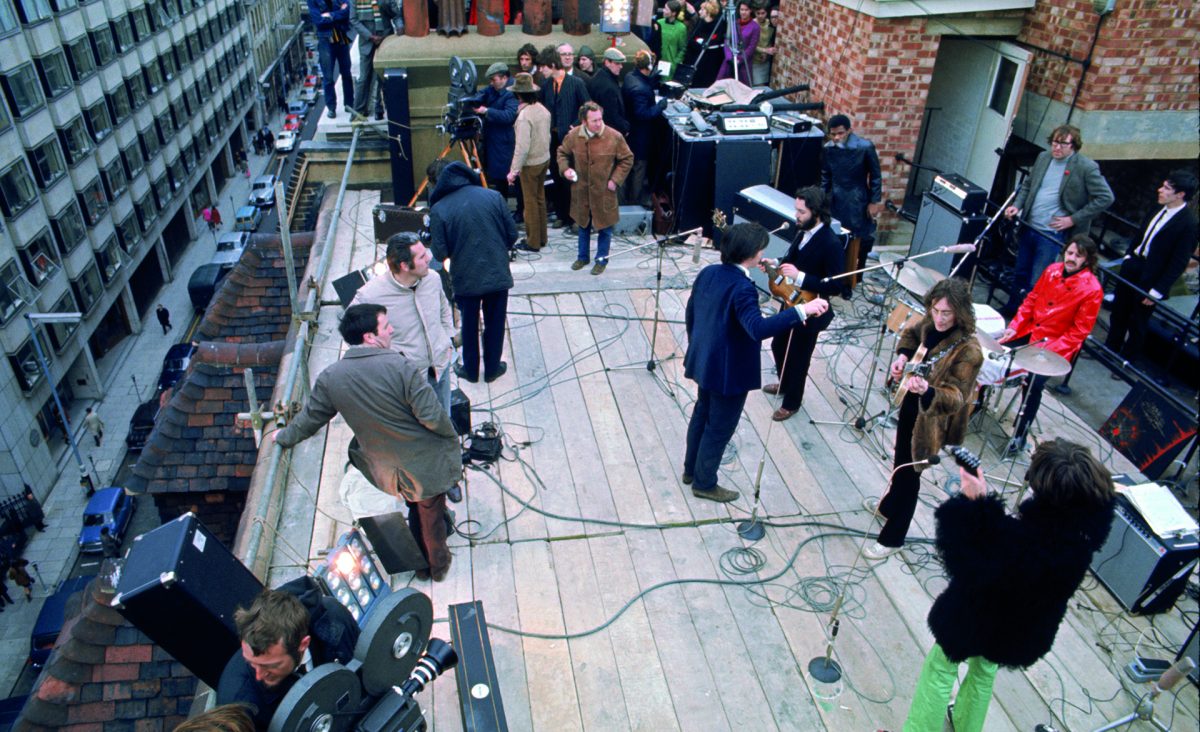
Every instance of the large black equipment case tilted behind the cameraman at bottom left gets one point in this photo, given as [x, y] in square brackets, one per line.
[181, 587]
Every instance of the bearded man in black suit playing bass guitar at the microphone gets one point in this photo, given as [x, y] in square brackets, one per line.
[815, 254]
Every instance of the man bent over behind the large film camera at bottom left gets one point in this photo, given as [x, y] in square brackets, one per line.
[285, 634]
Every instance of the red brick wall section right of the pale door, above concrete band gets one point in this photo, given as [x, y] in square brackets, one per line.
[1144, 58]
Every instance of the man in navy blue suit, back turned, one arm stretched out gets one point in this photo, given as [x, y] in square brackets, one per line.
[725, 332]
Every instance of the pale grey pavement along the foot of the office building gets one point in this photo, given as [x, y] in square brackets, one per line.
[130, 374]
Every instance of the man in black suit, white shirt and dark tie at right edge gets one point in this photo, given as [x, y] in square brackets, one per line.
[1155, 262]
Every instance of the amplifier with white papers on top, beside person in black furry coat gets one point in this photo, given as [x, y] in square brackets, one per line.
[1144, 573]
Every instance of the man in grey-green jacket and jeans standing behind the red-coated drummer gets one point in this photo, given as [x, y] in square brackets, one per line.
[1060, 199]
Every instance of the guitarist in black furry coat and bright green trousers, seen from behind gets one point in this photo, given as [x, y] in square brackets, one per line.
[1010, 579]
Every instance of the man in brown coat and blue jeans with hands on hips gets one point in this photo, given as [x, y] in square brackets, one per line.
[596, 159]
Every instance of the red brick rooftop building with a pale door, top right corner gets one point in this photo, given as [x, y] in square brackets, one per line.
[945, 82]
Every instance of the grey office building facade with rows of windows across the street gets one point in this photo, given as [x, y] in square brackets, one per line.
[118, 121]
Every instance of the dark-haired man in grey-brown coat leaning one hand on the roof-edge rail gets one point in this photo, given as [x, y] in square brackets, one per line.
[404, 440]
